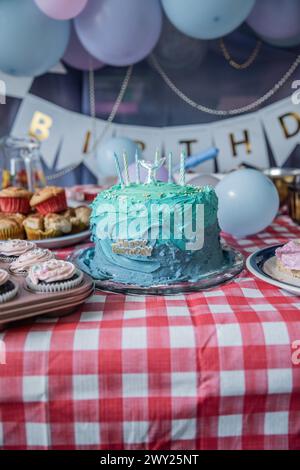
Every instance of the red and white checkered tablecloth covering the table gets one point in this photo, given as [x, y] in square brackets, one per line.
[210, 370]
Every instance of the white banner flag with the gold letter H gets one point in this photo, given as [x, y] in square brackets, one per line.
[240, 140]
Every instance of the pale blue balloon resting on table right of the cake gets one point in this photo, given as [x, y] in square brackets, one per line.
[248, 202]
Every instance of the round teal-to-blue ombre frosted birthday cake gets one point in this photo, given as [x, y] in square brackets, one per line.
[155, 234]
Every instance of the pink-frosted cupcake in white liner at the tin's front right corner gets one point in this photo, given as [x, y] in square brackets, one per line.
[53, 276]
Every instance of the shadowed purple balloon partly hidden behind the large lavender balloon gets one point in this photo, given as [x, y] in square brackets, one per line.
[76, 56]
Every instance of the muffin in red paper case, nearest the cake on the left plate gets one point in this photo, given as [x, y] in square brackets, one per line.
[49, 199]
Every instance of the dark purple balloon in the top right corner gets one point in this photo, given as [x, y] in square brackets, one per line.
[276, 20]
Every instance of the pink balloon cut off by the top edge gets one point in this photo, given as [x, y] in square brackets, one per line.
[61, 9]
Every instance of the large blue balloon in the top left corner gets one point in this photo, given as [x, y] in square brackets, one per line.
[30, 42]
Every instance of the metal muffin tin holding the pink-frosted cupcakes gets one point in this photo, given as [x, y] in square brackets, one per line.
[28, 304]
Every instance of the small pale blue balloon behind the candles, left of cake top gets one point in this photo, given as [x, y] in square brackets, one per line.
[105, 155]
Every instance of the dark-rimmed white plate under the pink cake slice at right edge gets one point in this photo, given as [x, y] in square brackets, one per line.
[262, 265]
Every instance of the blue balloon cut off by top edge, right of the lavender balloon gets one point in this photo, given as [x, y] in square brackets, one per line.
[207, 19]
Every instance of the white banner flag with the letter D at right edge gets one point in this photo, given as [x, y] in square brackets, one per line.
[282, 124]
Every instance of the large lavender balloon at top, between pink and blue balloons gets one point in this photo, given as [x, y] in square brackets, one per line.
[120, 32]
